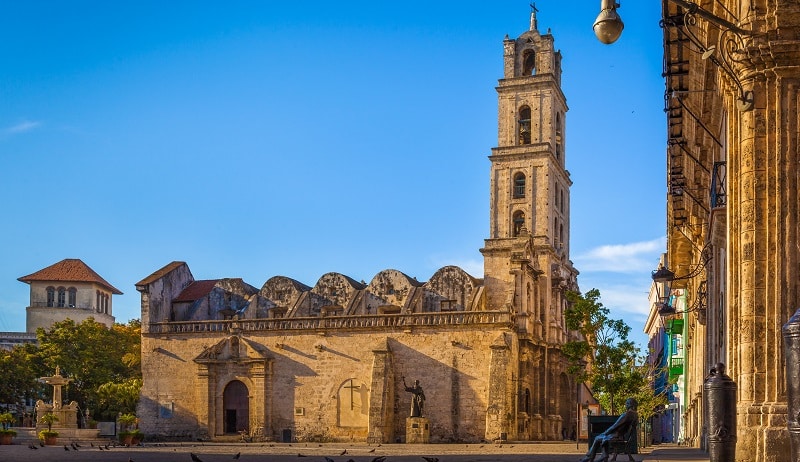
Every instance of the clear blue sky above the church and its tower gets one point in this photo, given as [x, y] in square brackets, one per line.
[259, 138]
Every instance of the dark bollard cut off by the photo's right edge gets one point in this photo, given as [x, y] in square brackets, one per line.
[791, 354]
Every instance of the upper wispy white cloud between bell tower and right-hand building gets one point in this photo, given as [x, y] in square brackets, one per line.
[622, 258]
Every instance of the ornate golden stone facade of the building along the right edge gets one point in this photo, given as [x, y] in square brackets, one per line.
[733, 216]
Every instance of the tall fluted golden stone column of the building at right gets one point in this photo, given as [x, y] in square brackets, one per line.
[763, 249]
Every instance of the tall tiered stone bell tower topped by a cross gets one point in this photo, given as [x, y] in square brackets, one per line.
[526, 258]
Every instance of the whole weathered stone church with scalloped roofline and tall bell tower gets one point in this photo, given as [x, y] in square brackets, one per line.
[330, 362]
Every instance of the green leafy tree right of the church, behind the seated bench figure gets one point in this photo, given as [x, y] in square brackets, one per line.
[603, 356]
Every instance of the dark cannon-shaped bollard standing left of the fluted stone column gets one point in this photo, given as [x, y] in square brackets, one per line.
[720, 402]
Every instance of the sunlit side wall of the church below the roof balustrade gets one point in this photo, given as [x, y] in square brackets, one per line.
[308, 375]
